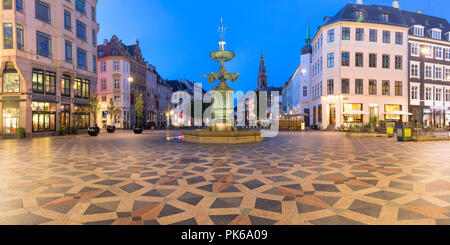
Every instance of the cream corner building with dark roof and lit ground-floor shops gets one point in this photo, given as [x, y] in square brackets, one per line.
[359, 67]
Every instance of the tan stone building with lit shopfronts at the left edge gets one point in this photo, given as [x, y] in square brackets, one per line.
[48, 64]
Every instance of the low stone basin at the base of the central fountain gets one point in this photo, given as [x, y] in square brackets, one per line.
[207, 136]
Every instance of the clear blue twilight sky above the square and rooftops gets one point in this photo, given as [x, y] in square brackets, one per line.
[177, 35]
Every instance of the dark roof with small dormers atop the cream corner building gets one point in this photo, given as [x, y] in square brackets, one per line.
[371, 14]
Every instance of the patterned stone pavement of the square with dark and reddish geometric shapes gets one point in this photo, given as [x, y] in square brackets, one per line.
[297, 178]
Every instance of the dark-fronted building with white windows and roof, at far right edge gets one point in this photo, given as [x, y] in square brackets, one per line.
[429, 69]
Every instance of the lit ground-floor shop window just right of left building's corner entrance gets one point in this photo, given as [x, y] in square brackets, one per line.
[44, 116]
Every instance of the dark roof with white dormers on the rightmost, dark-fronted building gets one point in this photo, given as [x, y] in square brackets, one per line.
[428, 22]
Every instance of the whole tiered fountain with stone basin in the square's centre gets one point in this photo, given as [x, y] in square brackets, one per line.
[222, 129]
